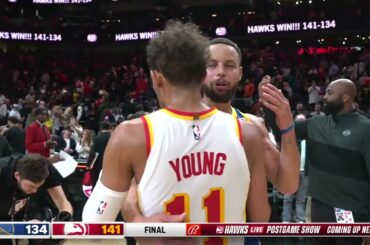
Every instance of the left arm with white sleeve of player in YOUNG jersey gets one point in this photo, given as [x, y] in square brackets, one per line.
[124, 158]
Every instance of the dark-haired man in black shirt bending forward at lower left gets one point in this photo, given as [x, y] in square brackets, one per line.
[20, 179]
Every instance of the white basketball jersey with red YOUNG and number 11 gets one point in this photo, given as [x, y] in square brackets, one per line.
[196, 164]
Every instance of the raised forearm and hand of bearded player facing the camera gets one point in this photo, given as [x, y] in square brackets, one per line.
[282, 170]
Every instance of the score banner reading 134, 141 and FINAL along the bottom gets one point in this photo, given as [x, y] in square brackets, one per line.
[117, 230]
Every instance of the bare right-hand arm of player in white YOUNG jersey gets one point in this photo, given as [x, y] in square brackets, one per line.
[258, 208]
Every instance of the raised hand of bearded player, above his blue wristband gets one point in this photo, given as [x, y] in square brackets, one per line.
[273, 99]
